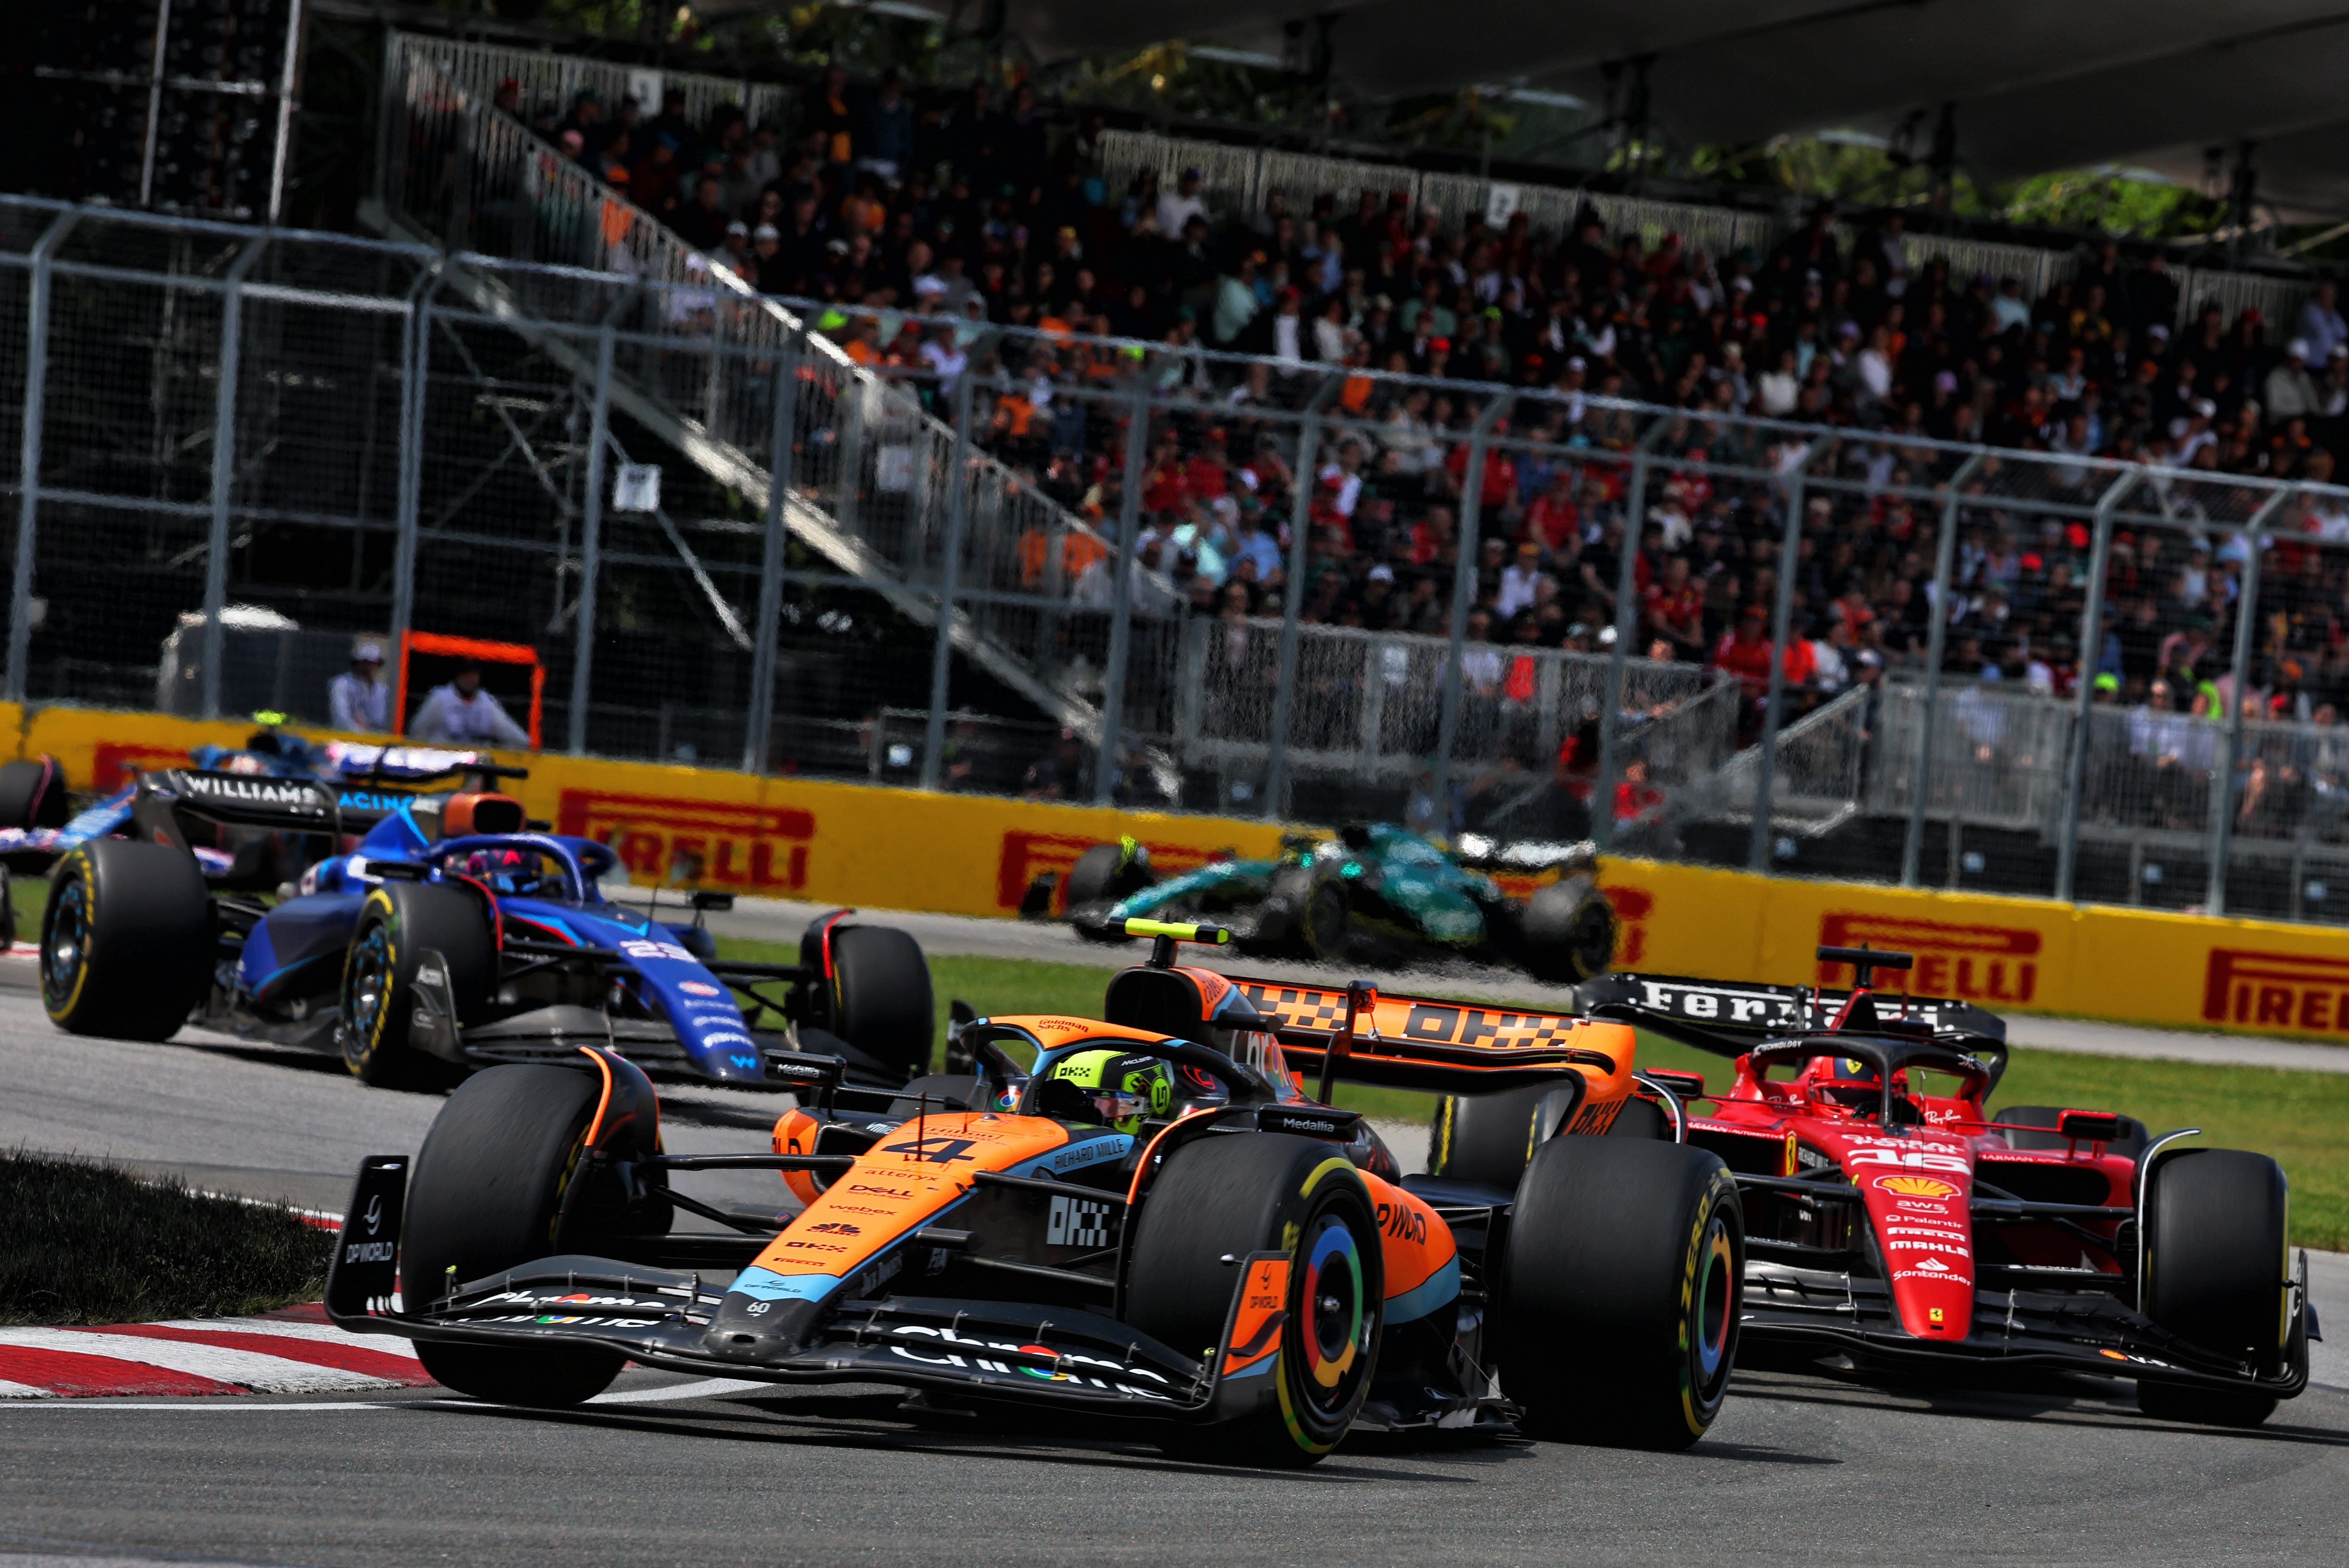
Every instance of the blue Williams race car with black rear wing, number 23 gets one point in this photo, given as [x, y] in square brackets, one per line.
[443, 933]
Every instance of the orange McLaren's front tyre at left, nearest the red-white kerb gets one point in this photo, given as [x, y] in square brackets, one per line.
[490, 1196]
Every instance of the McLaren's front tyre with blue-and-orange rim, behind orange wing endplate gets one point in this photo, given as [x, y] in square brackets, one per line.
[1265, 1194]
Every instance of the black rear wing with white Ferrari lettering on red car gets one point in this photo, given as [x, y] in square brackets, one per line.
[1732, 1018]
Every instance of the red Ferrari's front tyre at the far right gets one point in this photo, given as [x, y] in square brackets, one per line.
[2216, 1266]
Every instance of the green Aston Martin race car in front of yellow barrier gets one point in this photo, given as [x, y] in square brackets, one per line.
[1366, 895]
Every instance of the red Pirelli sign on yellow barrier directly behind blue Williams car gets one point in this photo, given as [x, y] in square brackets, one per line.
[720, 844]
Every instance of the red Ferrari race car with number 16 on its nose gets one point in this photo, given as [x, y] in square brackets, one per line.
[1894, 1219]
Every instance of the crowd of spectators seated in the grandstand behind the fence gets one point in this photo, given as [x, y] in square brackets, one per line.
[920, 217]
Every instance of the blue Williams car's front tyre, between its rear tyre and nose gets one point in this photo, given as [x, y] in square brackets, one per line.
[398, 924]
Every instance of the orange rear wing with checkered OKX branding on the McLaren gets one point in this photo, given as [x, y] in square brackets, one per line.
[1432, 1043]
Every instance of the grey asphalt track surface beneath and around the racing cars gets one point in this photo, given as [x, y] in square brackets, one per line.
[668, 1471]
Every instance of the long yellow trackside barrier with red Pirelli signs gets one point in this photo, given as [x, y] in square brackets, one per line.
[974, 856]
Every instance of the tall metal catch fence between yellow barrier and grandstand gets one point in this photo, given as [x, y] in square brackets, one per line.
[1004, 565]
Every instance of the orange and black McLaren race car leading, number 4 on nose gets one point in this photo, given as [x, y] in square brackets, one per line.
[1138, 1217]
